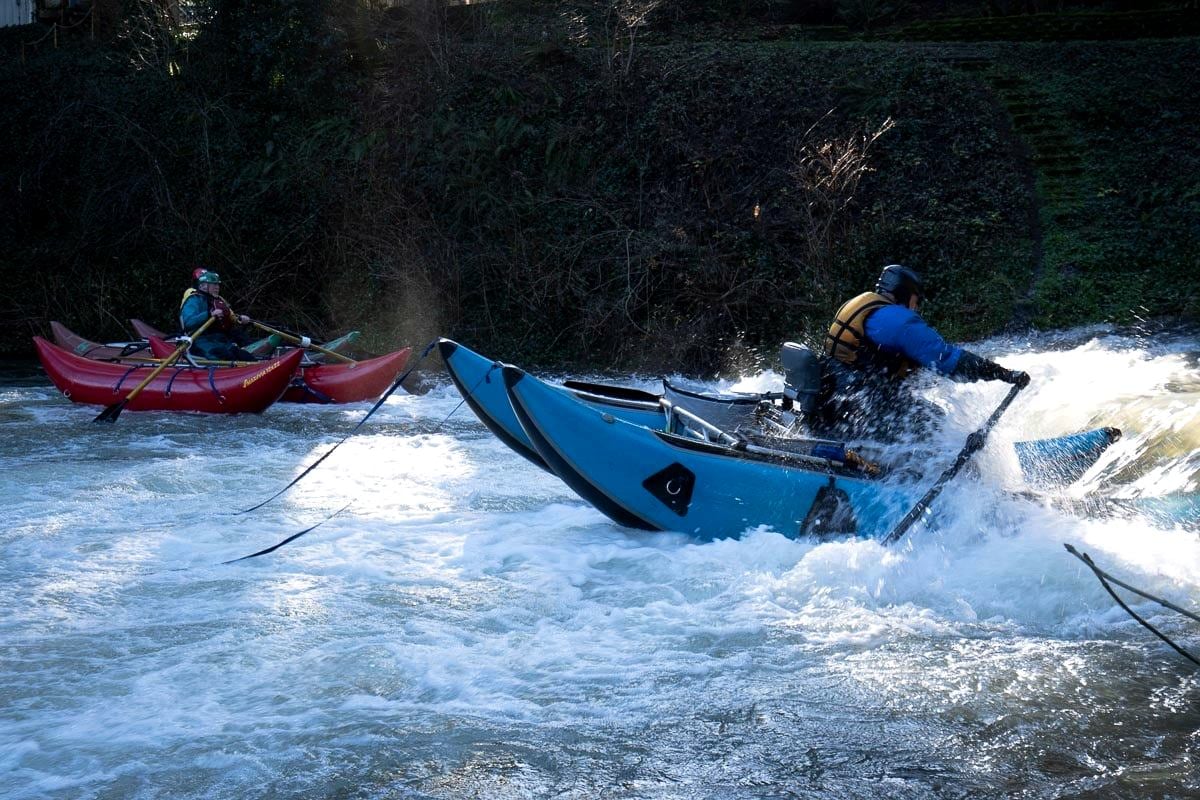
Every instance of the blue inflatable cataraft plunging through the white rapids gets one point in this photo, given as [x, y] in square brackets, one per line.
[661, 462]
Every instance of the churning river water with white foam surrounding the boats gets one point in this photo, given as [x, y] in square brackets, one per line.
[469, 628]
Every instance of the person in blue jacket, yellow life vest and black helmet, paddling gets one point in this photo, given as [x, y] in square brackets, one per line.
[875, 342]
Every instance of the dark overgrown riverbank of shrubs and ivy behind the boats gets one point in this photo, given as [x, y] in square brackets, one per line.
[577, 183]
